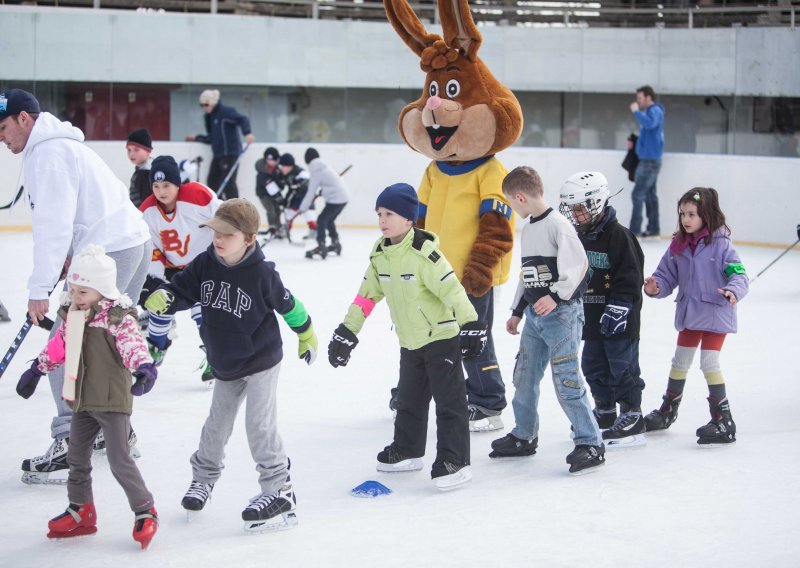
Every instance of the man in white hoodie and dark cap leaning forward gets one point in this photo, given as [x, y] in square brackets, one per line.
[75, 201]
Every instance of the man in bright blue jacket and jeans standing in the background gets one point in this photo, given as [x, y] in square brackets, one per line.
[649, 148]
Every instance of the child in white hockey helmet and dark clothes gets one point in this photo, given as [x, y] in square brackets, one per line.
[612, 306]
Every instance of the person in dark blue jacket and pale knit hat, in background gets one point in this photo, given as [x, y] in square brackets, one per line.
[222, 132]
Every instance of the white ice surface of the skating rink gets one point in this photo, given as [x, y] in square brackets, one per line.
[668, 504]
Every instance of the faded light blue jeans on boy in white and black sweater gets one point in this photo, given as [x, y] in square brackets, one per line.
[553, 339]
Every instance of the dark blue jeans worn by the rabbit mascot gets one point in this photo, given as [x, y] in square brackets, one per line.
[485, 386]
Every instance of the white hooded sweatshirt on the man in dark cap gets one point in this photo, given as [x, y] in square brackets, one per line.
[75, 201]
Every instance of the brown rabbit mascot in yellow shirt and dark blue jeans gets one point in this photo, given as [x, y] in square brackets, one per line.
[463, 118]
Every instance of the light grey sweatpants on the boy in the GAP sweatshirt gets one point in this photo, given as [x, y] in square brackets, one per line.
[261, 424]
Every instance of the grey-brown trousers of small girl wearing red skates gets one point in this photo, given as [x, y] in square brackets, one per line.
[84, 429]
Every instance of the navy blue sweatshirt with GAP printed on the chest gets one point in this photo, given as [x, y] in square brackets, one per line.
[239, 329]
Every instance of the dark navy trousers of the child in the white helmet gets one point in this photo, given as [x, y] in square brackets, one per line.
[611, 367]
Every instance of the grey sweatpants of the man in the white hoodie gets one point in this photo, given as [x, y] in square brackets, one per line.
[132, 265]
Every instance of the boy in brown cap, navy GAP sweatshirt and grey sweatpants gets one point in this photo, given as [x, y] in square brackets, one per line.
[240, 292]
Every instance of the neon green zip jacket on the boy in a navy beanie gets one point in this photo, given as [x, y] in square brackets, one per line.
[426, 301]
